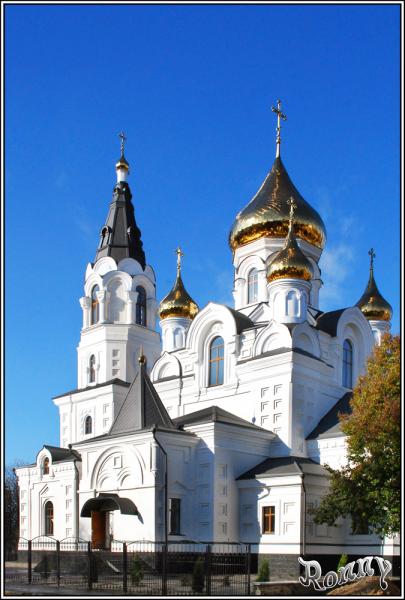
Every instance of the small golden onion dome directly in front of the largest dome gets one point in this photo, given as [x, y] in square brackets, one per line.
[290, 262]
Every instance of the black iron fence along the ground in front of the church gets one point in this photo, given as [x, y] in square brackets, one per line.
[143, 568]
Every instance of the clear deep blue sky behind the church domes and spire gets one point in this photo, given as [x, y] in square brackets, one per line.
[192, 88]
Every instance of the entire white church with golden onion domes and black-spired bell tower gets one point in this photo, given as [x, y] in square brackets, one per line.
[217, 430]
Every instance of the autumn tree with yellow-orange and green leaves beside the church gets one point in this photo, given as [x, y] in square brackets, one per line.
[368, 487]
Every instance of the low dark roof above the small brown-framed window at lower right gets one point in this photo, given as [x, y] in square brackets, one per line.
[285, 465]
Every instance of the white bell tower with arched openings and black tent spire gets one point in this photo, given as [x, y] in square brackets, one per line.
[119, 303]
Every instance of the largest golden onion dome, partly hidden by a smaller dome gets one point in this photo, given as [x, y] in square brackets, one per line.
[267, 213]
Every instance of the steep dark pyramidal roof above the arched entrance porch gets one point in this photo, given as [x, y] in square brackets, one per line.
[141, 409]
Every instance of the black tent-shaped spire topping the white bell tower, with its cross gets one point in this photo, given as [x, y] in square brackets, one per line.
[121, 237]
